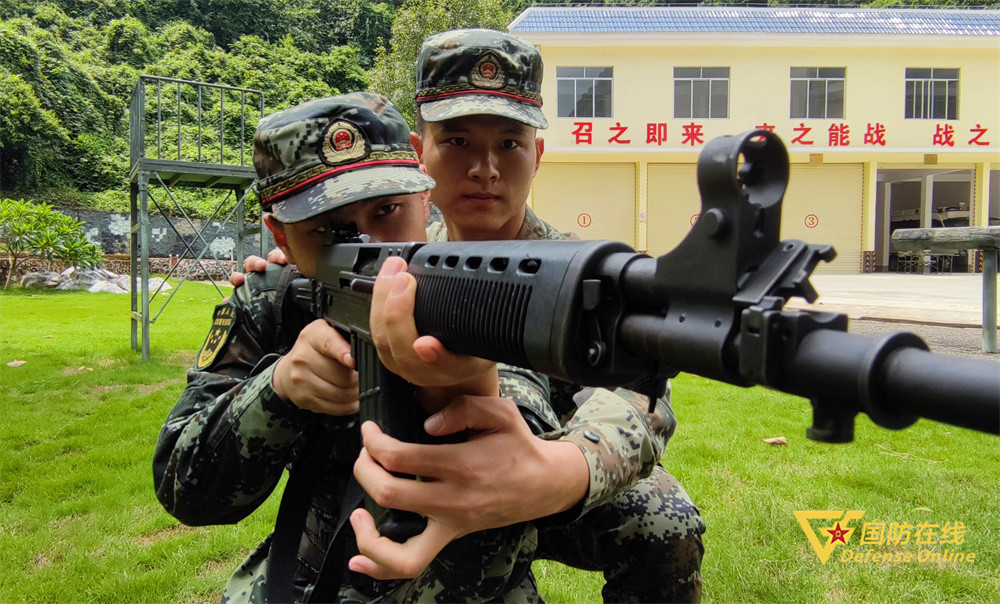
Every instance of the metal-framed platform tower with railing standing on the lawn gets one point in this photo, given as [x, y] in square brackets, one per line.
[188, 135]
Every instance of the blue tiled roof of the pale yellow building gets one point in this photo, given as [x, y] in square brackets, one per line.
[778, 20]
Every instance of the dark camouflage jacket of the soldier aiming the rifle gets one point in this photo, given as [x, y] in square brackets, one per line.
[227, 441]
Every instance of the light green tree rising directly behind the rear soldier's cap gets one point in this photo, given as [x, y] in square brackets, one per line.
[393, 72]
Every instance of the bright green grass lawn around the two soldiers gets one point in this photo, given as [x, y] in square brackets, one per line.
[79, 521]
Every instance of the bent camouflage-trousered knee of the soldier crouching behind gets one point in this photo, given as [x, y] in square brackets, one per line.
[647, 542]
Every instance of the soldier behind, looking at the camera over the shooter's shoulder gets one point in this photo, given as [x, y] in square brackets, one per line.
[478, 107]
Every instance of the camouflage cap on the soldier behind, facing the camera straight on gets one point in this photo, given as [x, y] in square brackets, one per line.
[479, 71]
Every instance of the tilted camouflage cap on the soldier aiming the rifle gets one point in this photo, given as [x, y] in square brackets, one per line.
[330, 152]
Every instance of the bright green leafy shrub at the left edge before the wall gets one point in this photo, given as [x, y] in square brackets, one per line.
[39, 230]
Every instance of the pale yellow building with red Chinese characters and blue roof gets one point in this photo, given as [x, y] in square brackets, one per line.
[891, 118]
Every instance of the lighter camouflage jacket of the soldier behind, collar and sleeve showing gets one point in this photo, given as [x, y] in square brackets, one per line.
[620, 439]
